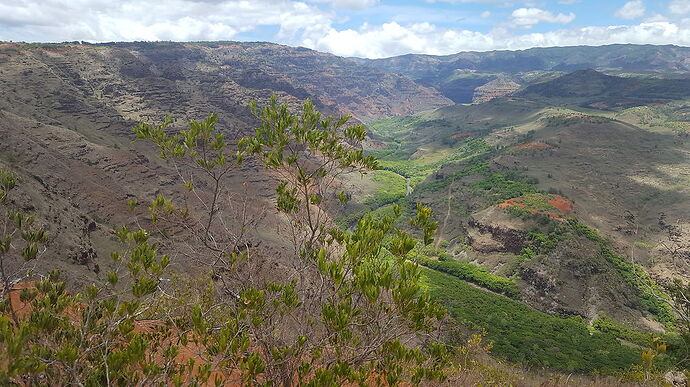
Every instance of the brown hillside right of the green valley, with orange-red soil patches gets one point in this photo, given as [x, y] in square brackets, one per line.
[496, 173]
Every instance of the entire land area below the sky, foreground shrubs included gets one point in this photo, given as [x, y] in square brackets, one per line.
[540, 230]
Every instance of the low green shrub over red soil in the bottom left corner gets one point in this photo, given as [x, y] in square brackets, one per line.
[94, 338]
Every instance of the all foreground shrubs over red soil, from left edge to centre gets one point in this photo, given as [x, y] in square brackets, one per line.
[348, 306]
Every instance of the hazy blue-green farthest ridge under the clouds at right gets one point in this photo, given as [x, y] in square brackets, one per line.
[455, 74]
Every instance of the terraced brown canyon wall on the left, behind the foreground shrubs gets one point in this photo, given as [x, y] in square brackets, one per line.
[66, 112]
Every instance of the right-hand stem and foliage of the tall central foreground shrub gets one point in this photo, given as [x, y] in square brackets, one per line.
[369, 298]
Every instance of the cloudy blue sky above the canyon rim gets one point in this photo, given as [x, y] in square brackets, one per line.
[362, 28]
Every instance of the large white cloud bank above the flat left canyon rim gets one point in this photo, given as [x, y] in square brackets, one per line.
[105, 20]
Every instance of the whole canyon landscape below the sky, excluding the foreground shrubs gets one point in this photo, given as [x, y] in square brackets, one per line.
[552, 165]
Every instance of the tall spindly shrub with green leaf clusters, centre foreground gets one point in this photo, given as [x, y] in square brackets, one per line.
[349, 304]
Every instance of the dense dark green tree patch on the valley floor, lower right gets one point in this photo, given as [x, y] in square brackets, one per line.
[524, 335]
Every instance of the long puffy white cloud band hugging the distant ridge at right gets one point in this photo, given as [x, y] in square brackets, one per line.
[393, 39]
